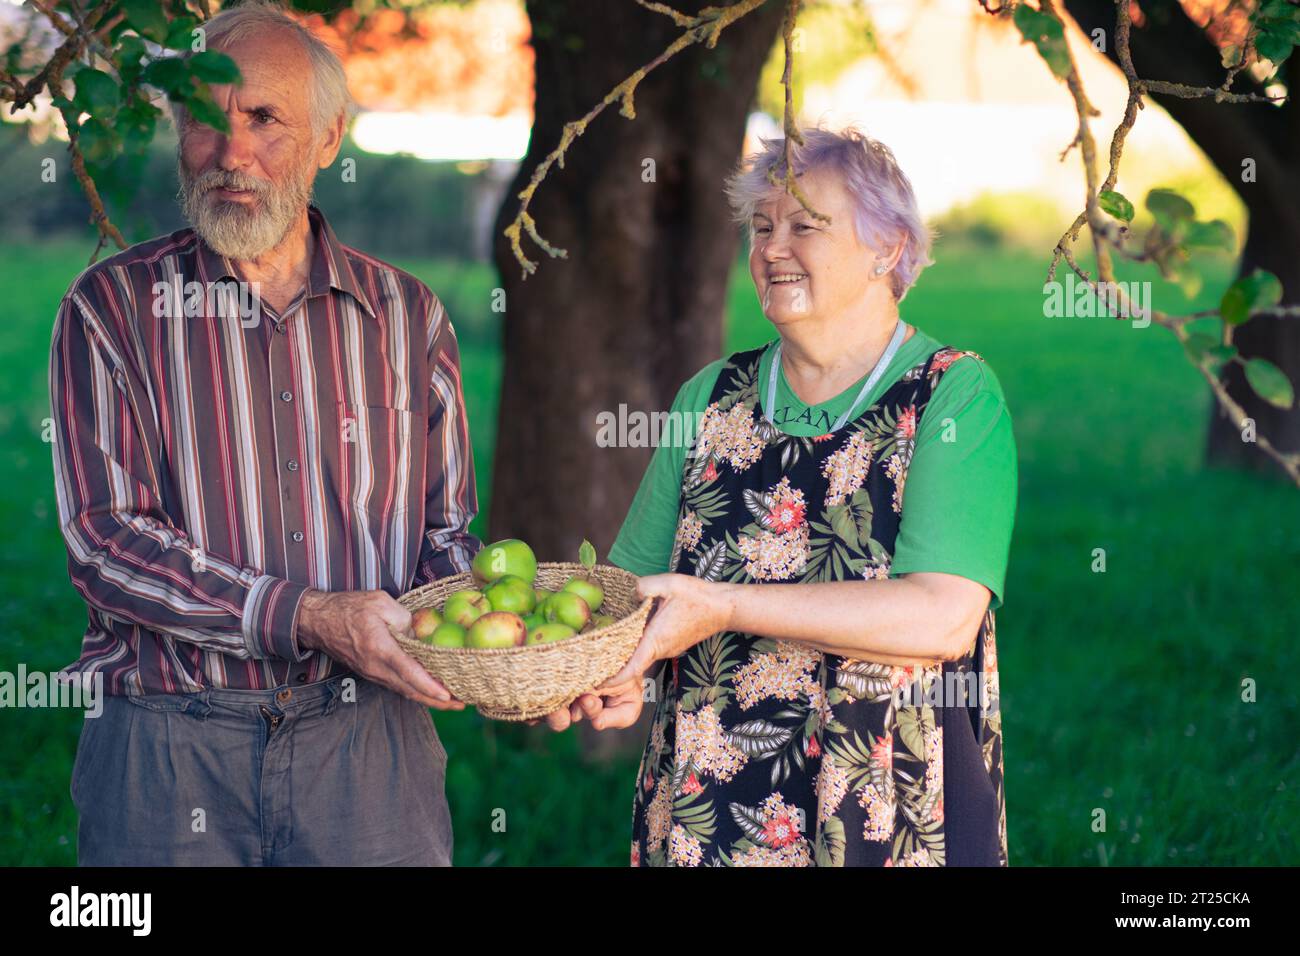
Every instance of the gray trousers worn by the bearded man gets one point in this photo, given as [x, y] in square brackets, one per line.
[337, 773]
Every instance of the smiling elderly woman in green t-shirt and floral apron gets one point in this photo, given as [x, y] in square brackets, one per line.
[831, 691]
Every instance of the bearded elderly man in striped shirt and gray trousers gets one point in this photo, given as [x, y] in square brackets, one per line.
[245, 491]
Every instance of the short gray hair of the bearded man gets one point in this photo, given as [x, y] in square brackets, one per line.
[330, 94]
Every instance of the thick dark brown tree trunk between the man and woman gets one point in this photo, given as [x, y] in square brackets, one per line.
[638, 306]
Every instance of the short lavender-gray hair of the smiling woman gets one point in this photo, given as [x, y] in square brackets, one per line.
[885, 206]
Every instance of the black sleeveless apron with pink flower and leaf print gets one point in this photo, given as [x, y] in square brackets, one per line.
[772, 754]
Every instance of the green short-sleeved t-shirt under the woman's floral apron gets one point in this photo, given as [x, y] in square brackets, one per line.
[960, 498]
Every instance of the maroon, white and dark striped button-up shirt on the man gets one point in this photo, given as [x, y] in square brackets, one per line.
[213, 465]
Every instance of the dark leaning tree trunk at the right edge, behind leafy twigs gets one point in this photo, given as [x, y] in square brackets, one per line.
[1173, 47]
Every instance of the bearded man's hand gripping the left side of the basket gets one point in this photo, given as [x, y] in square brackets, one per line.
[356, 628]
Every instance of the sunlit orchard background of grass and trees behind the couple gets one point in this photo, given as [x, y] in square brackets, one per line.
[1121, 690]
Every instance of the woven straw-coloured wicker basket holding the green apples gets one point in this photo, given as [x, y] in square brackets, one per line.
[531, 682]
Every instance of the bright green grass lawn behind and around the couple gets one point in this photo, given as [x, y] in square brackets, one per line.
[1123, 691]
